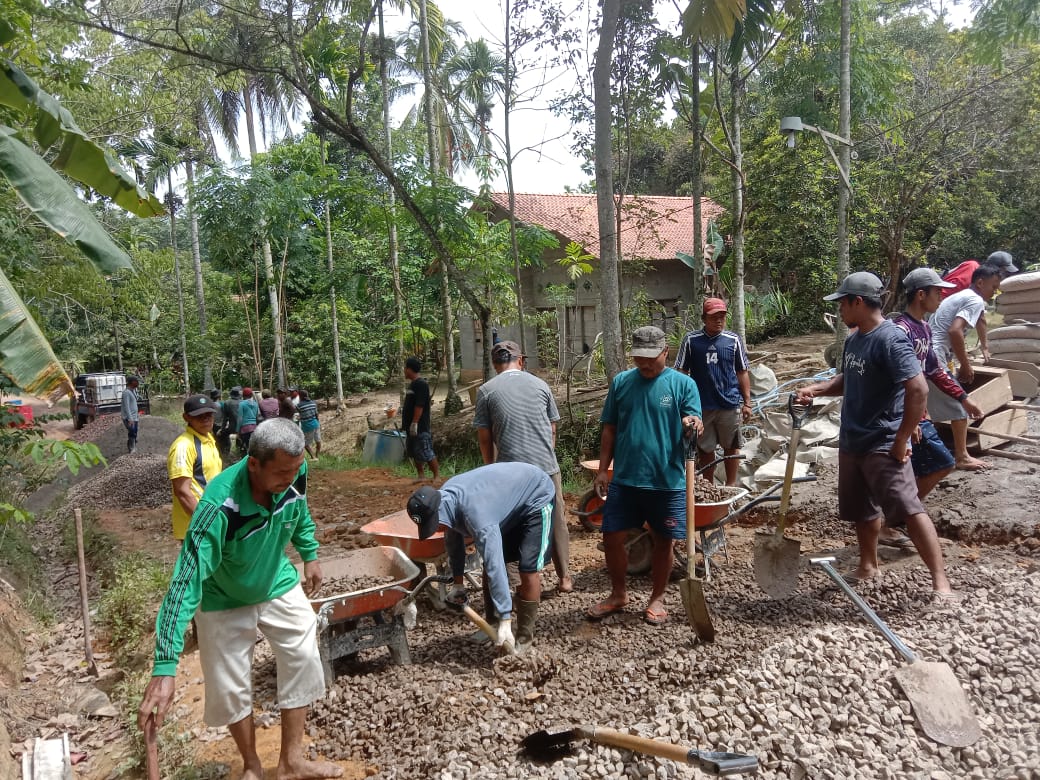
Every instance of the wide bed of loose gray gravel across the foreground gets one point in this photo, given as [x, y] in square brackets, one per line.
[804, 685]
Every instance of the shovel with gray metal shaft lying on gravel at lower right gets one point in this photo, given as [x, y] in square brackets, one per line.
[939, 700]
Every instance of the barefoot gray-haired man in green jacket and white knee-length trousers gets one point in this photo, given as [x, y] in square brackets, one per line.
[233, 569]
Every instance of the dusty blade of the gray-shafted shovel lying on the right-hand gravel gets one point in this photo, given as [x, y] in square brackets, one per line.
[943, 710]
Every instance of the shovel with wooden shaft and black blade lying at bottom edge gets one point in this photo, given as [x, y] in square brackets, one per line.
[547, 747]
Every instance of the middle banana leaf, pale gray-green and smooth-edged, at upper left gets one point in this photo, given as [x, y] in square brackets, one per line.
[57, 204]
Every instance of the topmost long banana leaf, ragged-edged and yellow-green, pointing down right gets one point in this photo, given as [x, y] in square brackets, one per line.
[79, 157]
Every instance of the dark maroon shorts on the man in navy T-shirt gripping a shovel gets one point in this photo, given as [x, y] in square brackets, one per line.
[875, 485]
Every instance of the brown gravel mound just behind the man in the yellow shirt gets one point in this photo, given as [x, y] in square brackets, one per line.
[129, 481]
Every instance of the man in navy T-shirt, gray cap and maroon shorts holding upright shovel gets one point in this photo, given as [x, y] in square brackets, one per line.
[885, 394]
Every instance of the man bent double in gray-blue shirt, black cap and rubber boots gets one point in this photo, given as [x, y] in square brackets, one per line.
[507, 510]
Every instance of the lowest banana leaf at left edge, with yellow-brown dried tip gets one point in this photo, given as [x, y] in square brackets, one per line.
[27, 357]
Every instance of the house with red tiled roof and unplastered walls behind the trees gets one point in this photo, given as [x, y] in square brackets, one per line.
[654, 230]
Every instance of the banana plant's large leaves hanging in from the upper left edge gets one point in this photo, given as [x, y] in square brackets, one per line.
[27, 357]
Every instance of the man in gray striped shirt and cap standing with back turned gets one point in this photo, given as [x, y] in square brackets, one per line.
[517, 415]
